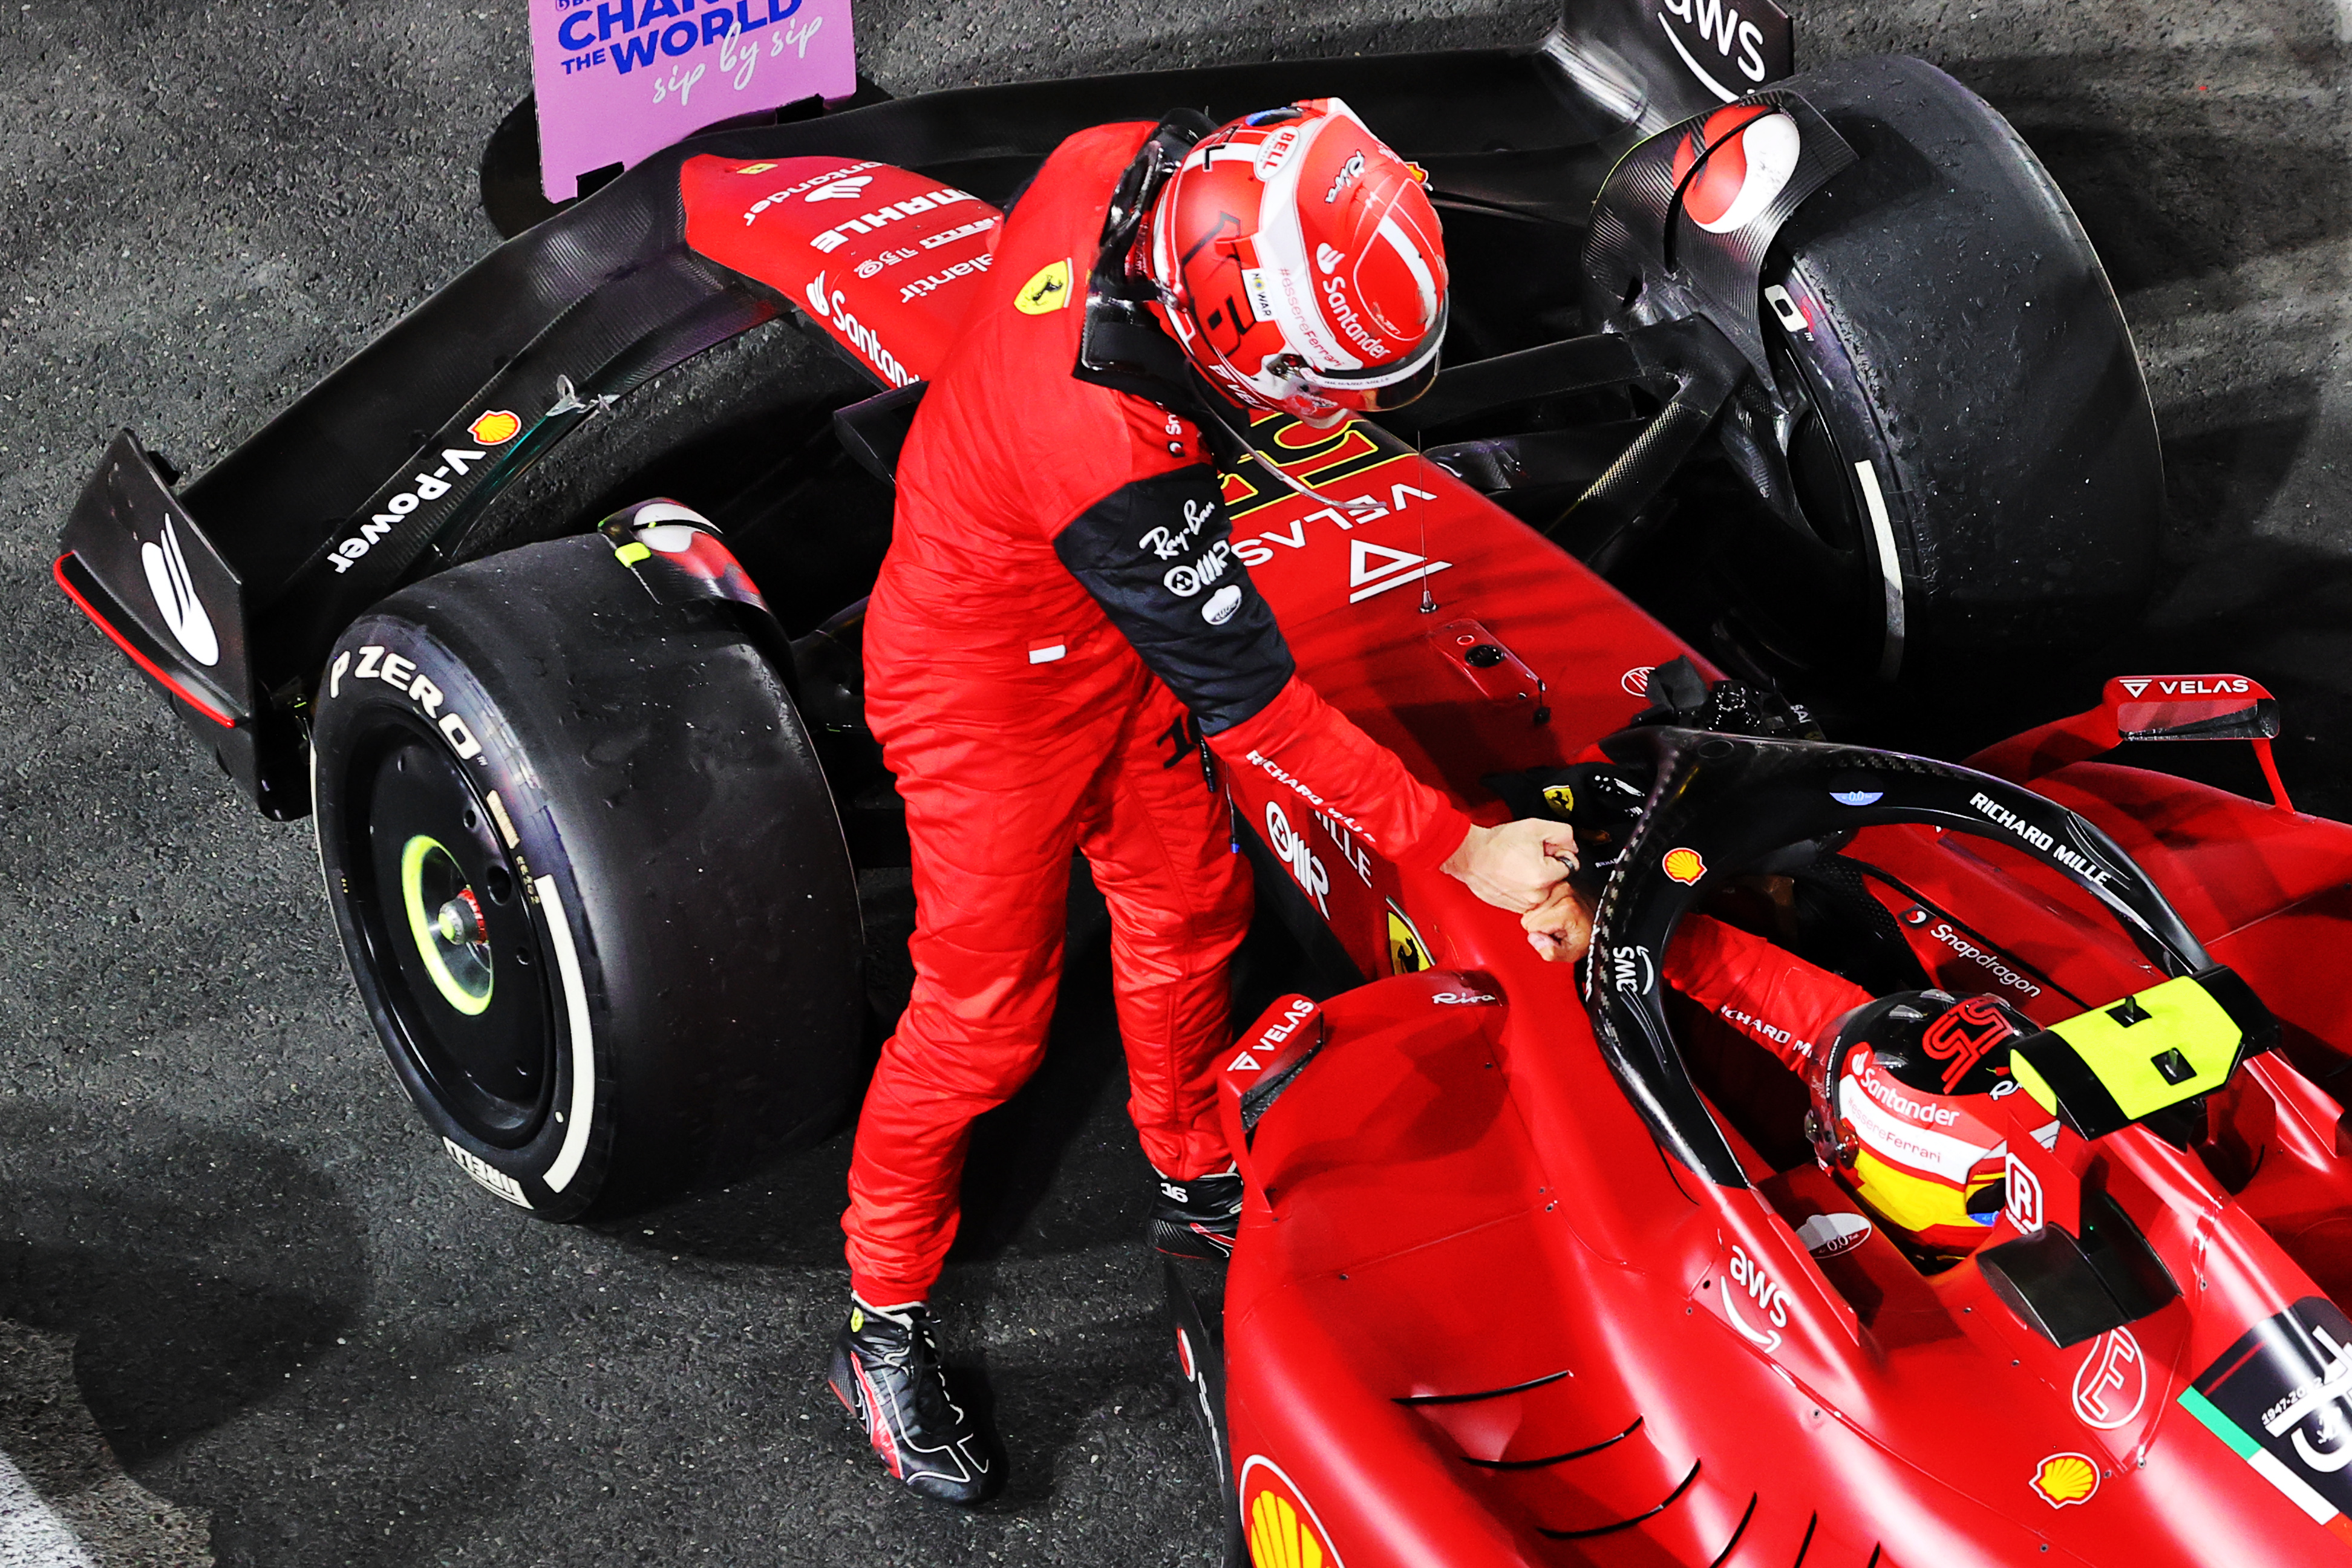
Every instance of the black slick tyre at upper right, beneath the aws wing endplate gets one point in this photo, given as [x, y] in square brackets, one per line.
[1972, 436]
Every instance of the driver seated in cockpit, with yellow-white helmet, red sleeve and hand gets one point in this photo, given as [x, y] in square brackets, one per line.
[1904, 1087]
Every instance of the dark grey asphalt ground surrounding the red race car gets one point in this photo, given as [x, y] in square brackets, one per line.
[255, 1315]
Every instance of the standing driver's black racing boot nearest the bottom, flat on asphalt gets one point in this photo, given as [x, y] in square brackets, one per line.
[886, 1372]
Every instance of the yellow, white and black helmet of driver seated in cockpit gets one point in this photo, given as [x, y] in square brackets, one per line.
[1906, 1113]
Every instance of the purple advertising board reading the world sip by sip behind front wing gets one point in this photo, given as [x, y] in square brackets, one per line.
[624, 79]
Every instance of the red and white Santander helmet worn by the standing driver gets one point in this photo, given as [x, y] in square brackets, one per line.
[1302, 264]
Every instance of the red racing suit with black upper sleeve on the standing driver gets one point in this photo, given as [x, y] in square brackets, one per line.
[1057, 619]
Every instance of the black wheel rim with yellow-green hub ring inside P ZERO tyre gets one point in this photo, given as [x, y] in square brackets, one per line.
[450, 942]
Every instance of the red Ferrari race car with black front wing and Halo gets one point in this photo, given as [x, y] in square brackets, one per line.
[592, 786]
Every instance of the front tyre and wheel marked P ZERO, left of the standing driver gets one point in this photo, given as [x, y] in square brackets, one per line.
[589, 880]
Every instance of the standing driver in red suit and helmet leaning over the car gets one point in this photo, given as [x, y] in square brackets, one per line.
[1062, 650]
